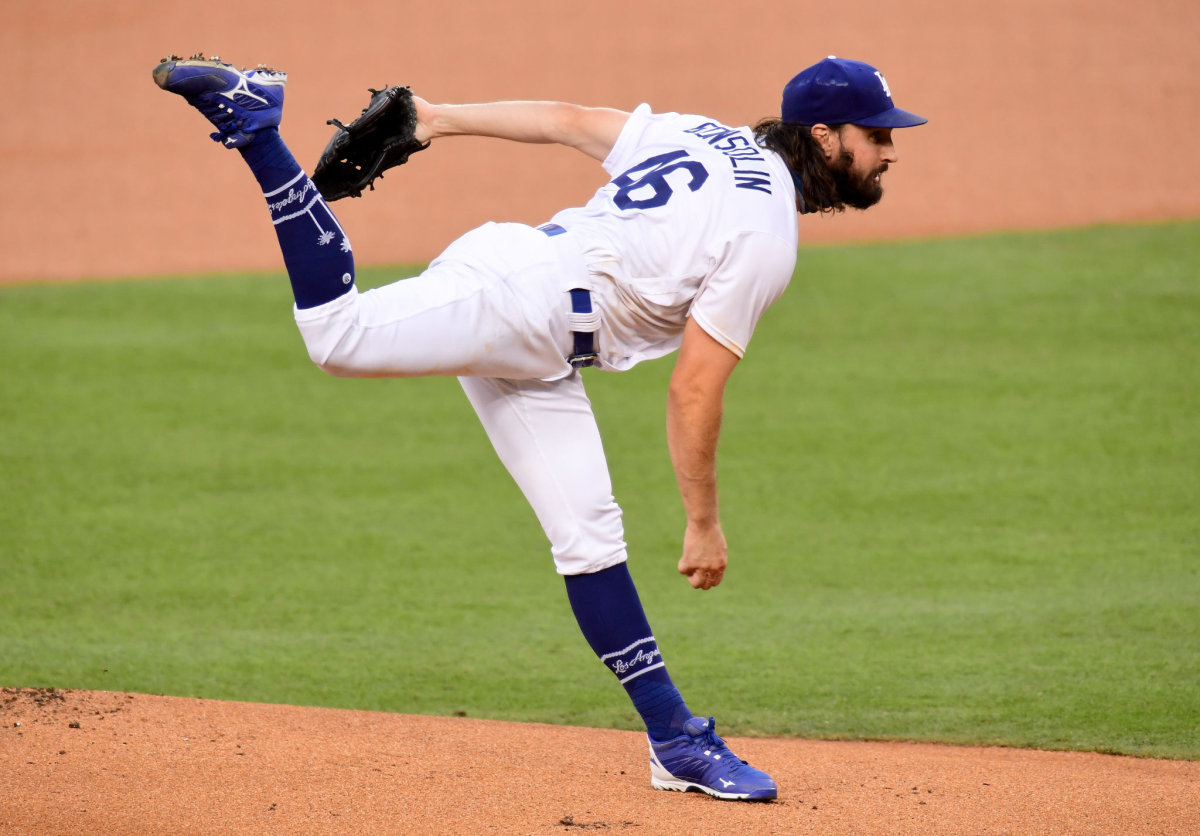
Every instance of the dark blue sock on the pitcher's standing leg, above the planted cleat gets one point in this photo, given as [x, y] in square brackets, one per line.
[614, 623]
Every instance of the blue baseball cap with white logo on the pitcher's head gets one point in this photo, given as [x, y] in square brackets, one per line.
[838, 91]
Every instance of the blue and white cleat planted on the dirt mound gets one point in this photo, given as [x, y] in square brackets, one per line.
[700, 761]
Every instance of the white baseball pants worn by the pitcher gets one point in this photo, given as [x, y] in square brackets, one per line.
[493, 311]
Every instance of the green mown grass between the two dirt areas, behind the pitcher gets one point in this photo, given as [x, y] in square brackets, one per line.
[961, 484]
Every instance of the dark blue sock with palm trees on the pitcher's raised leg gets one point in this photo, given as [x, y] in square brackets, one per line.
[316, 251]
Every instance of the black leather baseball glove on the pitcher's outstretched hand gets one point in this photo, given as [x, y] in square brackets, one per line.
[382, 139]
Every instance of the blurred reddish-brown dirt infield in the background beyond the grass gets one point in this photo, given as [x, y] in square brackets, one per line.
[1043, 113]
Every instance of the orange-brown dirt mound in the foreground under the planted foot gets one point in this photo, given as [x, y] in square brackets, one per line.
[75, 762]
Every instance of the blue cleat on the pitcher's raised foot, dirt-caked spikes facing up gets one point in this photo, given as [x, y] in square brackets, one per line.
[237, 103]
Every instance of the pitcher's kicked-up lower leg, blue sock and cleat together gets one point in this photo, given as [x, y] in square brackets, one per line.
[247, 107]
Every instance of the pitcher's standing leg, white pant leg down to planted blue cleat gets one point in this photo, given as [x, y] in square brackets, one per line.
[547, 436]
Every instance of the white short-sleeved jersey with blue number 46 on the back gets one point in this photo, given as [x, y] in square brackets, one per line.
[698, 221]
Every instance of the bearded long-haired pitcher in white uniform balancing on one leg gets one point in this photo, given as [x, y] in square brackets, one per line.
[683, 250]
